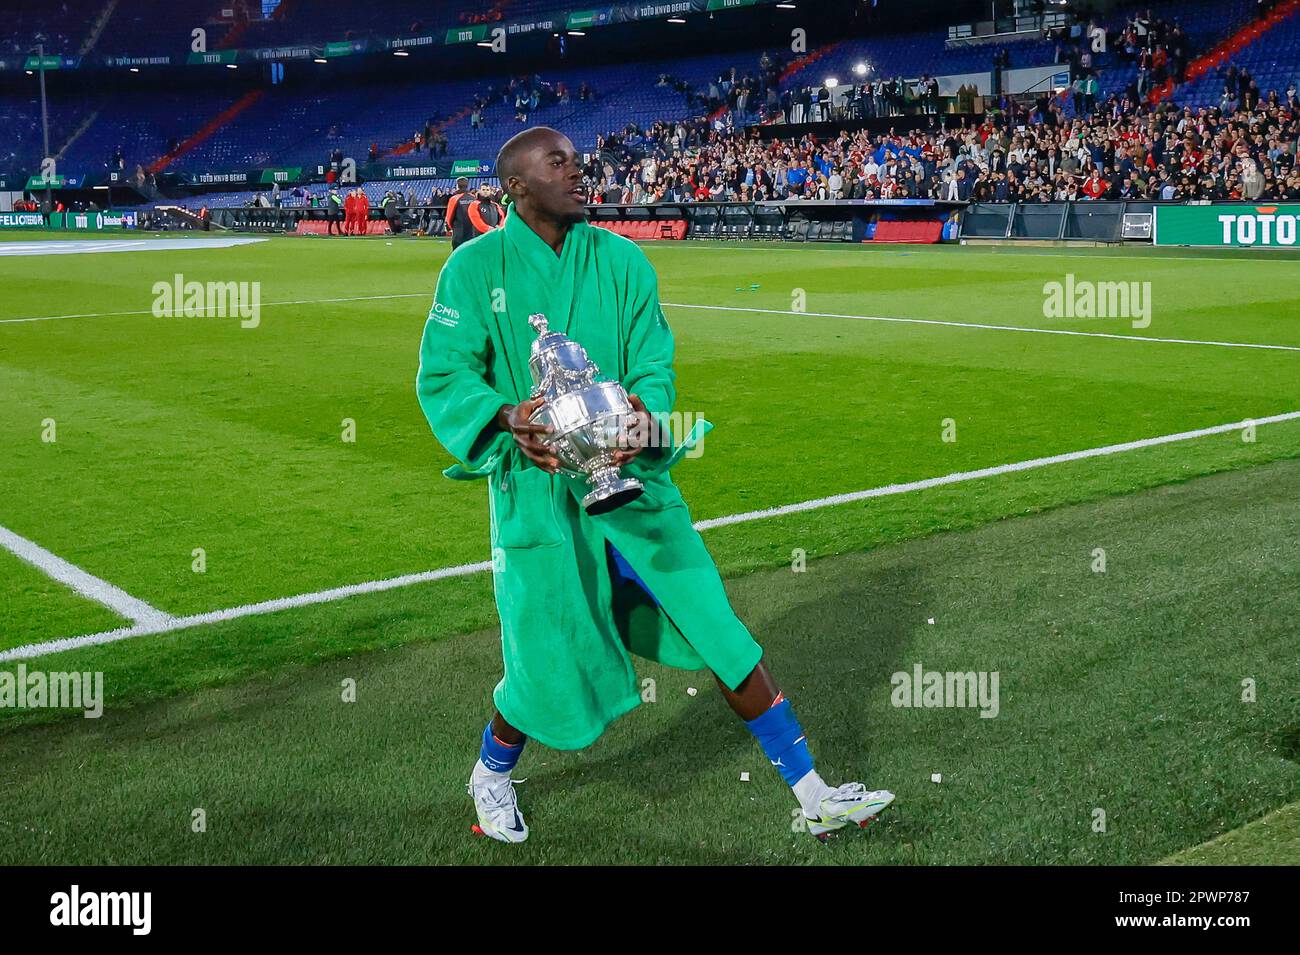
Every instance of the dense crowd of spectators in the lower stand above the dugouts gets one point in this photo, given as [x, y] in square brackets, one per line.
[1126, 149]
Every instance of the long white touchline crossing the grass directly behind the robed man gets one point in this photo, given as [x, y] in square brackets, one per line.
[174, 624]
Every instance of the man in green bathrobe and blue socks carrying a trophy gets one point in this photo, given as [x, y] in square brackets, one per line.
[578, 594]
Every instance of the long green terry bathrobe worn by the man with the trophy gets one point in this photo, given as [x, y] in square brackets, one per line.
[567, 628]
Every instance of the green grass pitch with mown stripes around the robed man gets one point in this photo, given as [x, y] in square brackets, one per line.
[1121, 691]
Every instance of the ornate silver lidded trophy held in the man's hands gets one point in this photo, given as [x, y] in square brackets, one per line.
[587, 416]
